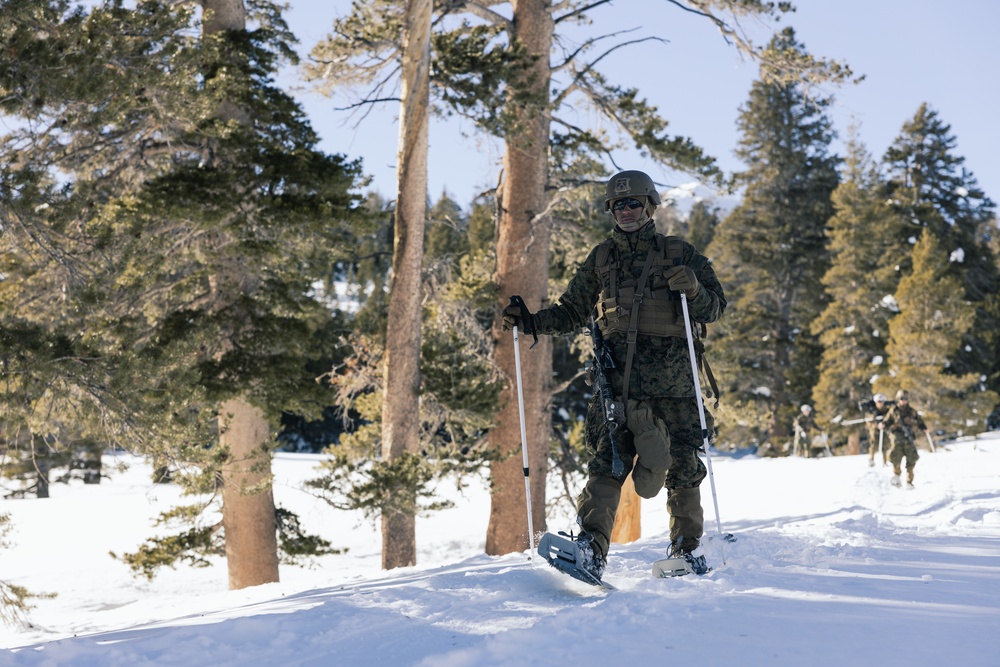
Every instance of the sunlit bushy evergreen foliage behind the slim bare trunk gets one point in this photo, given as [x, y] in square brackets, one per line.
[460, 387]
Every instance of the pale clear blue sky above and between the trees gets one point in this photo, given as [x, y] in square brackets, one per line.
[911, 51]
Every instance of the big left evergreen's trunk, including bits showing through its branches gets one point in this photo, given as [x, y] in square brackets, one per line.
[248, 512]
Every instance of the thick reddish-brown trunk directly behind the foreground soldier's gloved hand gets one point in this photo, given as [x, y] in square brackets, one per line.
[522, 269]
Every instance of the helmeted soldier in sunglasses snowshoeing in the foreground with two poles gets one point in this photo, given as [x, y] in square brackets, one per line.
[630, 284]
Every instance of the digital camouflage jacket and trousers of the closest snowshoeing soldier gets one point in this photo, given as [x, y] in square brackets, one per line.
[660, 377]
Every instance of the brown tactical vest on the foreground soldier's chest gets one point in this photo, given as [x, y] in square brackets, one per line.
[659, 308]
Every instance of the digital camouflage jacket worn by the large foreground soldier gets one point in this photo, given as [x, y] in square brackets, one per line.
[661, 366]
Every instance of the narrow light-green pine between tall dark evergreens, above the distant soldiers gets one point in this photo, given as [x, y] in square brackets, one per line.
[853, 329]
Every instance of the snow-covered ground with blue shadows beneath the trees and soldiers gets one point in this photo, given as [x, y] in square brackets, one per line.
[832, 566]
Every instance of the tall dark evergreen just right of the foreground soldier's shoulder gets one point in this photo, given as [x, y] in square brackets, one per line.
[770, 255]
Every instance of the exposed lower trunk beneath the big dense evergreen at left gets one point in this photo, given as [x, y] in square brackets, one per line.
[248, 516]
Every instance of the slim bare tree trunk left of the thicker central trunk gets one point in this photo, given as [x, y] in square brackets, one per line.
[400, 403]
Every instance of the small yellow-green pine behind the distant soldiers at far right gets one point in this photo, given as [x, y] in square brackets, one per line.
[933, 317]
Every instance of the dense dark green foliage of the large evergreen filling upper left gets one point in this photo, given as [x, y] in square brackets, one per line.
[172, 251]
